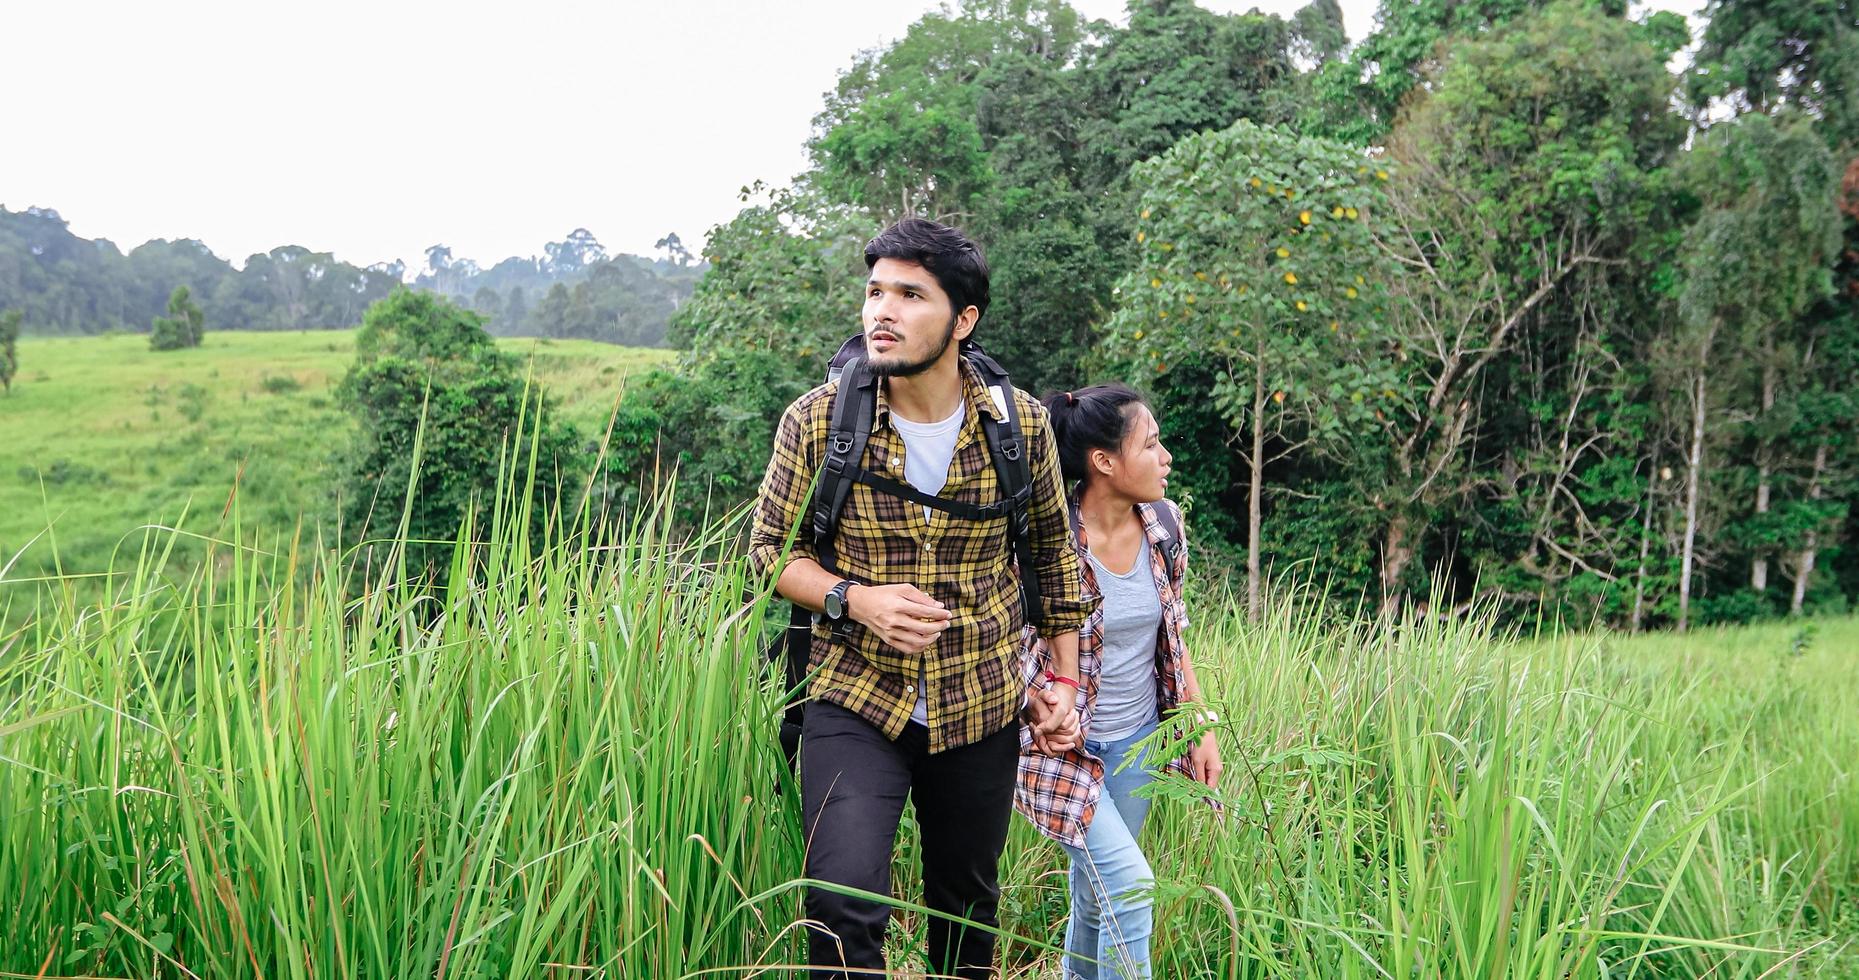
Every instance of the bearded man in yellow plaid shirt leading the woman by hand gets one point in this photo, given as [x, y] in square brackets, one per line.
[921, 590]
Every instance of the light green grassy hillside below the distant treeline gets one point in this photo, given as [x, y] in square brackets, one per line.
[103, 436]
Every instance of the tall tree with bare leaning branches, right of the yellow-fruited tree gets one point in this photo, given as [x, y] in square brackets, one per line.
[1531, 163]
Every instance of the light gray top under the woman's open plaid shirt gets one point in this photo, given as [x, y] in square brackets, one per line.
[1133, 616]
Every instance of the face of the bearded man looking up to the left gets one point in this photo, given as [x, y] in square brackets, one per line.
[908, 319]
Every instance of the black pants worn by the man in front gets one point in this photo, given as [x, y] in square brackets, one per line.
[854, 784]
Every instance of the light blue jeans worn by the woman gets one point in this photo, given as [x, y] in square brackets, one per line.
[1113, 912]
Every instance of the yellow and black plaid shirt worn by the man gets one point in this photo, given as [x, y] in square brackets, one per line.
[975, 667]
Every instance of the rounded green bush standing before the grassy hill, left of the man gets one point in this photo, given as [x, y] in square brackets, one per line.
[440, 416]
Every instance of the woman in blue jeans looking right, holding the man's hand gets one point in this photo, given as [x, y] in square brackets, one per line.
[1133, 670]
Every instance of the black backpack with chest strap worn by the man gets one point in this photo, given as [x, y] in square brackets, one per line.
[854, 410]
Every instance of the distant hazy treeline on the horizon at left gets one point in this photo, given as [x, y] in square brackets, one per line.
[70, 285]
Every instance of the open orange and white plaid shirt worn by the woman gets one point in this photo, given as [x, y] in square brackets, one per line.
[1059, 793]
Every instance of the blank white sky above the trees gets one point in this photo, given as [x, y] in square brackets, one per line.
[375, 129]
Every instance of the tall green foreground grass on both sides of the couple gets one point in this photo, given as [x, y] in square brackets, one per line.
[559, 760]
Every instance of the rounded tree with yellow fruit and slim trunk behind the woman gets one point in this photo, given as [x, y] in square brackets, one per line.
[1256, 259]
